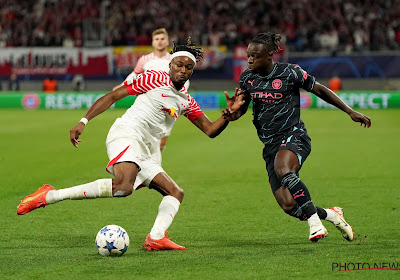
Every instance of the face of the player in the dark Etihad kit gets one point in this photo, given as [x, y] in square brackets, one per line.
[258, 58]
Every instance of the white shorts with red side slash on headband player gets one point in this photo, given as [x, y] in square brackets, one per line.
[126, 144]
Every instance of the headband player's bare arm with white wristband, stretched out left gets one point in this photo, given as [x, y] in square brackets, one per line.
[97, 108]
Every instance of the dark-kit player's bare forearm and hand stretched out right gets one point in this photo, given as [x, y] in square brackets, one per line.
[329, 96]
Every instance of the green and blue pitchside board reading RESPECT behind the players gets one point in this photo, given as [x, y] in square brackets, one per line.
[208, 100]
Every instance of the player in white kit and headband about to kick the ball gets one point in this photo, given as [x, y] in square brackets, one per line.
[132, 139]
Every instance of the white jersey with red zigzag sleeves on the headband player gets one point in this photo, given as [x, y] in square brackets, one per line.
[158, 104]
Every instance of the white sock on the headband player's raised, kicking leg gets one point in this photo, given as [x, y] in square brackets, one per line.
[96, 189]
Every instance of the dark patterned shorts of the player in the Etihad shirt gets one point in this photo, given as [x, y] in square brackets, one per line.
[295, 140]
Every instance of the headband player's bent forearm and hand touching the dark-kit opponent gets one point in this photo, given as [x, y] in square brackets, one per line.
[213, 129]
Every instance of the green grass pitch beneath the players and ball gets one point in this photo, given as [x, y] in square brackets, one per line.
[229, 221]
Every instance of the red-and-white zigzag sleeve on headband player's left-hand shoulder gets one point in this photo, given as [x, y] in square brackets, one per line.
[145, 82]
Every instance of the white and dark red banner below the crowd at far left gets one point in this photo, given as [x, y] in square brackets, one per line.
[56, 61]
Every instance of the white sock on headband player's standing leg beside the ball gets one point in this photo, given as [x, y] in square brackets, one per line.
[167, 210]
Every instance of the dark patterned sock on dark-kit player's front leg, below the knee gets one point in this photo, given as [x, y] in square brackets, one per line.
[299, 192]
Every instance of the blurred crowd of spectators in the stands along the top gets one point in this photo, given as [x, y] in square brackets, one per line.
[306, 25]
